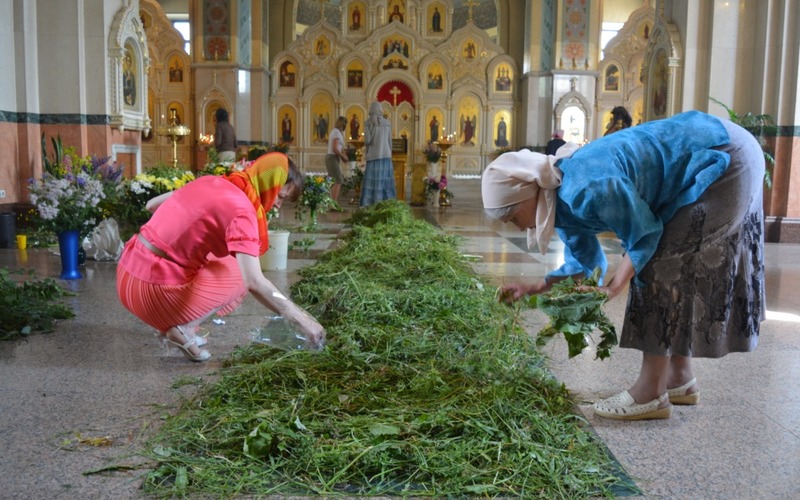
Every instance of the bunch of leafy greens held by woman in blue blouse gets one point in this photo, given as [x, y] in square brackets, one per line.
[575, 309]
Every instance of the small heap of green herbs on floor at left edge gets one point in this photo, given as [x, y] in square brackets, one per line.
[31, 305]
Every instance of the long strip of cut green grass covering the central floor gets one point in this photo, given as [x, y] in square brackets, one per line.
[426, 387]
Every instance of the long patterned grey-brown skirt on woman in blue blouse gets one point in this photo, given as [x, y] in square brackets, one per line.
[705, 284]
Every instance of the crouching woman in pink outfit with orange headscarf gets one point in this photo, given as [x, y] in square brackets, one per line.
[198, 254]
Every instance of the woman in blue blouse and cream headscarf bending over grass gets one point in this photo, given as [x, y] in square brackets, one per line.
[684, 197]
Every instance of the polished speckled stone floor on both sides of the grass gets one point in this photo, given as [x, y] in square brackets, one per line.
[77, 403]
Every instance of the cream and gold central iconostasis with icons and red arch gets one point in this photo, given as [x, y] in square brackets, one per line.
[435, 74]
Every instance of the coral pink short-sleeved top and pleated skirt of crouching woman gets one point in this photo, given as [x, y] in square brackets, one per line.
[200, 228]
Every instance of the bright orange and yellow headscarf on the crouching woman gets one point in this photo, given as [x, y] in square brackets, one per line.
[261, 182]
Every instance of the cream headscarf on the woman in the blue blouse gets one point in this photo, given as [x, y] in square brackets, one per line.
[515, 177]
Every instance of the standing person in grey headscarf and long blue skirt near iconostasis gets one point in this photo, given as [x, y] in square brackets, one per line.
[378, 182]
